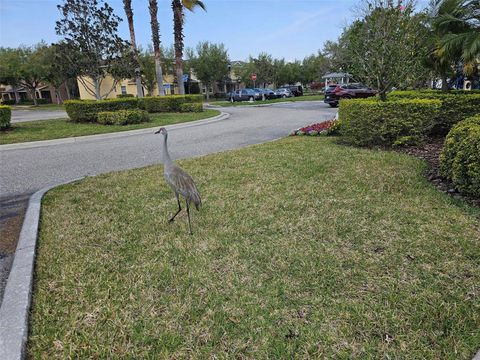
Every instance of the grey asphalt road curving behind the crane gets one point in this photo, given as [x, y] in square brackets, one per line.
[24, 171]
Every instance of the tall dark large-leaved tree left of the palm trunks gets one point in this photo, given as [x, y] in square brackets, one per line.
[89, 28]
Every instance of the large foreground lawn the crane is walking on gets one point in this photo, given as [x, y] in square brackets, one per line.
[303, 249]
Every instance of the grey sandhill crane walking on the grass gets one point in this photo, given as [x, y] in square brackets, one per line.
[179, 181]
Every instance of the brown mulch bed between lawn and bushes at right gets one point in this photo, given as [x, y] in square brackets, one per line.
[430, 152]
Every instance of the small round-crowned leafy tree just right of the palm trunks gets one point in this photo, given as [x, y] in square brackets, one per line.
[210, 63]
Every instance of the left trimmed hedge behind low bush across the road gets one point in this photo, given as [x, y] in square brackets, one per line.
[87, 110]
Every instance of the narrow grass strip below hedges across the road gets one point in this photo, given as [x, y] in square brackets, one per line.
[63, 128]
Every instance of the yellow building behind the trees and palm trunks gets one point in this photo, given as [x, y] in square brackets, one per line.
[125, 86]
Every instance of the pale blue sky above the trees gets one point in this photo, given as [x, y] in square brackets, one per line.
[290, 29]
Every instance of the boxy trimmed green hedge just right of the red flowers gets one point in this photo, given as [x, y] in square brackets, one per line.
[367, 122]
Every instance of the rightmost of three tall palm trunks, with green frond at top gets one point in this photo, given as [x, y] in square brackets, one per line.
[178, 19]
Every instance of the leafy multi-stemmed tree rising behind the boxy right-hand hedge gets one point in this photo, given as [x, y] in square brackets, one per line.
[383, 47]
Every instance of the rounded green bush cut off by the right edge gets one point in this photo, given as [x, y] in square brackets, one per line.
[460, 158]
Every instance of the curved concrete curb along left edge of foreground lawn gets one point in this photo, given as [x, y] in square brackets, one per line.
[17, 297]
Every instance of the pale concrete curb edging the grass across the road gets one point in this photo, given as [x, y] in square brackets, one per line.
[34, 144]
